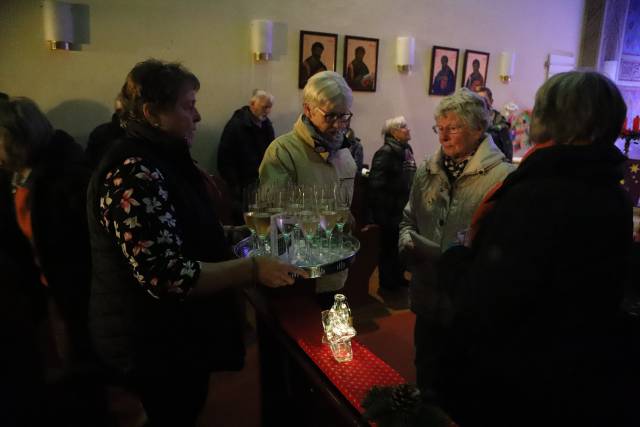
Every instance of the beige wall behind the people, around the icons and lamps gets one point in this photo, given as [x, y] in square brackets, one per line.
[211, 37]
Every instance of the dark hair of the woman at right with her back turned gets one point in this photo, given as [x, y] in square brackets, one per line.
[578, 106]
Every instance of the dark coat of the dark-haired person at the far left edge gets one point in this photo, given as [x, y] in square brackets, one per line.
[57, 200]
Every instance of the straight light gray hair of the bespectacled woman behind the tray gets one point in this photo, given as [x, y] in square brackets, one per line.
[327, 87]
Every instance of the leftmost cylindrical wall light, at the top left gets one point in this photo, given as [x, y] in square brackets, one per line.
[58, 25]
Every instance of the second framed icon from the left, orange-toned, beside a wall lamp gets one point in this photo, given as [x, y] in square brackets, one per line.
[361, 63]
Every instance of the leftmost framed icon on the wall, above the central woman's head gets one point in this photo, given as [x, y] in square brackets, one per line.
[318, 52]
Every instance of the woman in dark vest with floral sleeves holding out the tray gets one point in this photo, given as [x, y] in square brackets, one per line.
[164, 309]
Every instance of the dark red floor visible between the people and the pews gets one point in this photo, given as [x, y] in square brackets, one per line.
[234, 397]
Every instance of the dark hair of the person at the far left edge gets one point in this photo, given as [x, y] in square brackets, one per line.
[25, 129]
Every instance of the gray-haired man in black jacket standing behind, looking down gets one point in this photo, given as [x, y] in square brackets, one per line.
[244, 140]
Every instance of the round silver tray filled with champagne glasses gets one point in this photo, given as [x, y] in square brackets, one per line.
[303, 224]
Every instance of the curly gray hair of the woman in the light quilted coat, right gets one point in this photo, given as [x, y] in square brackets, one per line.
[468, 106]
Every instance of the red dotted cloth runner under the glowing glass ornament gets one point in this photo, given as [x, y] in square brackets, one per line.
[355, 378]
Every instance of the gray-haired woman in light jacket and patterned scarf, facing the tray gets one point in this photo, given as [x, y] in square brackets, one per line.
[446, 191]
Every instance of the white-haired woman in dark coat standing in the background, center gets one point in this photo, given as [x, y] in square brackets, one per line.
[392, 171]
